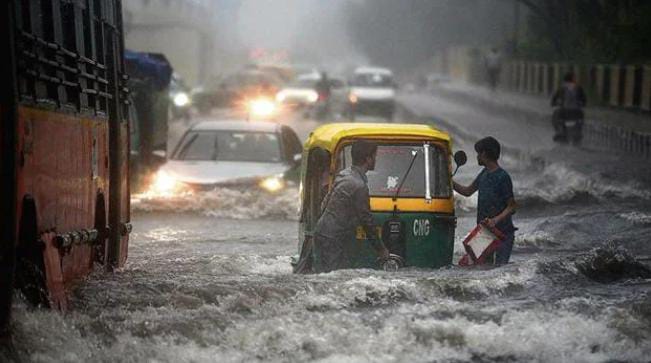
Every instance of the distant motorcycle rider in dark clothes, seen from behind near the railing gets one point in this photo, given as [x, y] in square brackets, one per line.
[570, 99]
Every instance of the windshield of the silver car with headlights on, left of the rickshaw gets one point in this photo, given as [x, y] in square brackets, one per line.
[229, 146]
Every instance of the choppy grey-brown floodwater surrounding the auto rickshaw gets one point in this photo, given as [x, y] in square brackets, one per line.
[199, 287]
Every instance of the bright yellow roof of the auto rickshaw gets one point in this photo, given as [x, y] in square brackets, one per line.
[329, 135]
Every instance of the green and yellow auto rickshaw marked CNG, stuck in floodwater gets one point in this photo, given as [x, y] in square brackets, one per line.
[412, 200]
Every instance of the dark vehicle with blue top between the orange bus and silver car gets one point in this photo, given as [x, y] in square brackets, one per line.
[150, 79]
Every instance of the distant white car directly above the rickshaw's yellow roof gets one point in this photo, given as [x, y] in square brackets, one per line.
[372, 92]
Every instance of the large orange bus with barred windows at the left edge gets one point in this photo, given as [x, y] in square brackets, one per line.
[63, 148]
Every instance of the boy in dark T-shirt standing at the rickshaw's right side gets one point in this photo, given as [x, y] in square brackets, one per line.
[496, 203]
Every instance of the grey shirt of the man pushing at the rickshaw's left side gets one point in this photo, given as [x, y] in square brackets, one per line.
[345, 207]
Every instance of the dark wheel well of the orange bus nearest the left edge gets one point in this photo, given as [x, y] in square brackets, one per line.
[30, 269]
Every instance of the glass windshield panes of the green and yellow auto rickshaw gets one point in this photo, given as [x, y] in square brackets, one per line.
[391, 165]
